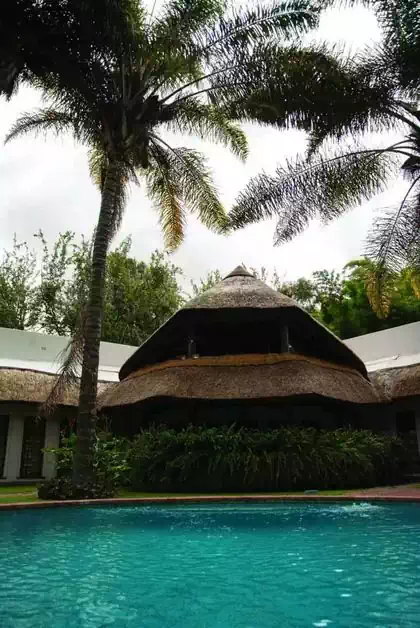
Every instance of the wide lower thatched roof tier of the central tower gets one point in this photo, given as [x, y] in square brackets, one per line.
[241, 377]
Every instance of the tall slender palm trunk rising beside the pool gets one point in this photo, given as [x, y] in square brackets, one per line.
[86, 420]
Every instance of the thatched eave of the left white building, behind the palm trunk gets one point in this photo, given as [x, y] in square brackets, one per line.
[33, 386]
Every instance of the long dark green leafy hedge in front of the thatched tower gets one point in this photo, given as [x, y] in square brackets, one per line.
[206, 459]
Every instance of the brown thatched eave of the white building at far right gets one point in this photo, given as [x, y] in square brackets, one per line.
[397, 383]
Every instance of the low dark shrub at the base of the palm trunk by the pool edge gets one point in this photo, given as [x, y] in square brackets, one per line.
[64, 488]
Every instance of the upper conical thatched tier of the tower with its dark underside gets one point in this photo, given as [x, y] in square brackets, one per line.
[240, 314]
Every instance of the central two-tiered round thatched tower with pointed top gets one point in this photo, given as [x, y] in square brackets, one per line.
[243, 353]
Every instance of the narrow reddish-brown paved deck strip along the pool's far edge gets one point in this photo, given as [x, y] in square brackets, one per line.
[384, 494]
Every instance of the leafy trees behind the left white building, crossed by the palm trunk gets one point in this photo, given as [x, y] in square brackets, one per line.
[48, 293]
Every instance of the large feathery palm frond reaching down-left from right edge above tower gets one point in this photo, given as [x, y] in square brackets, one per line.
[300, 191]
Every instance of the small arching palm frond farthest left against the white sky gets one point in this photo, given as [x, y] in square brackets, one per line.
[42, 121]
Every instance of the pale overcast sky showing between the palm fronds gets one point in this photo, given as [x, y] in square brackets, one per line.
[45, 184]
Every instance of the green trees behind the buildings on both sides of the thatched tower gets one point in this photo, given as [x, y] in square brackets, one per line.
[45, 292]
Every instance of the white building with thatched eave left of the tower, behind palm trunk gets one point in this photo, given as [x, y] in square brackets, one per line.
[29, 363]
